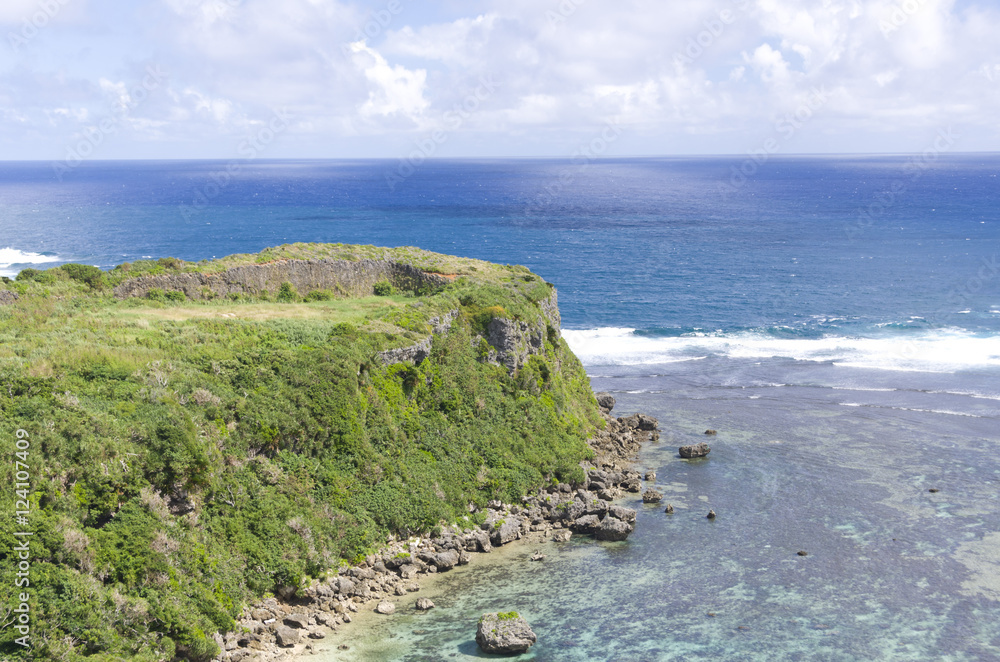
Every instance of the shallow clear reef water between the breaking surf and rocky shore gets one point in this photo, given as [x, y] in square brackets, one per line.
[893, 571]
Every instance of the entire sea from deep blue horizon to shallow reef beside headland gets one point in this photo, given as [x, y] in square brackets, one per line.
[836, 319]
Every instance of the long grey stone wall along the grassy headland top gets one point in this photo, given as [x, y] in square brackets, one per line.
[347, 278]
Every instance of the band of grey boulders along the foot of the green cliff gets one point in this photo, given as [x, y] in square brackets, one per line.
[284, 629]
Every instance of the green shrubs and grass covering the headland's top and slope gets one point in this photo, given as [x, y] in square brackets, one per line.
[188, 458]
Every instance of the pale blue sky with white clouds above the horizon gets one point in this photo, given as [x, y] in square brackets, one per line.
[398, 79]
